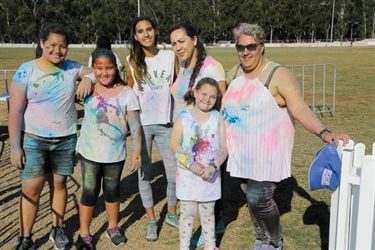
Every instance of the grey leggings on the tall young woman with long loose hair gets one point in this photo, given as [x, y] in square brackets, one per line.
[161, 134]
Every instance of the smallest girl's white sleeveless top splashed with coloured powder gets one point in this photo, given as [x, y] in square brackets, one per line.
[201, 141]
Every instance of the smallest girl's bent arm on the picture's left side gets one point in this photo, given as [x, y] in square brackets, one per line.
[182, 156]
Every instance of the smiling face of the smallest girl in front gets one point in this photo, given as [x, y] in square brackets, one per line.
[205, 97]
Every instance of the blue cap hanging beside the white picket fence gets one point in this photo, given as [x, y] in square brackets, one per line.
[325, 170]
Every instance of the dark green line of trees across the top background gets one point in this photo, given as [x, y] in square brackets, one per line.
[282, 20]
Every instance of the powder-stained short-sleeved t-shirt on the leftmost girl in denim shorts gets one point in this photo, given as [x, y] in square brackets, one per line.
[50, 110]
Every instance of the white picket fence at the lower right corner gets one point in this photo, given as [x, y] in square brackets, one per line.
[352, 221]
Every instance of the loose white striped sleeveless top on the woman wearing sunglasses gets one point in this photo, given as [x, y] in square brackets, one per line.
[260, 134]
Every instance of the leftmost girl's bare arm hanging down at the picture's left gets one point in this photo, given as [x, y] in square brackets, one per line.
[18, 100]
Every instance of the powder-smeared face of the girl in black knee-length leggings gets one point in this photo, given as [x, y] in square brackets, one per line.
[104, 70]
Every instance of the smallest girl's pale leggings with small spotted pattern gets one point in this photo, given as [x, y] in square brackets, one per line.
[188, 210]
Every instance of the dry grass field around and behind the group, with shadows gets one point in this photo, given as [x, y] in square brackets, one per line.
[305, 214]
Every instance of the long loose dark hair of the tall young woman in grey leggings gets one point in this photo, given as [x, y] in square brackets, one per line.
[137, 55]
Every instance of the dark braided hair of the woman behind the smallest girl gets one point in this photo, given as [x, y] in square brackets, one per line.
[191, 31]
